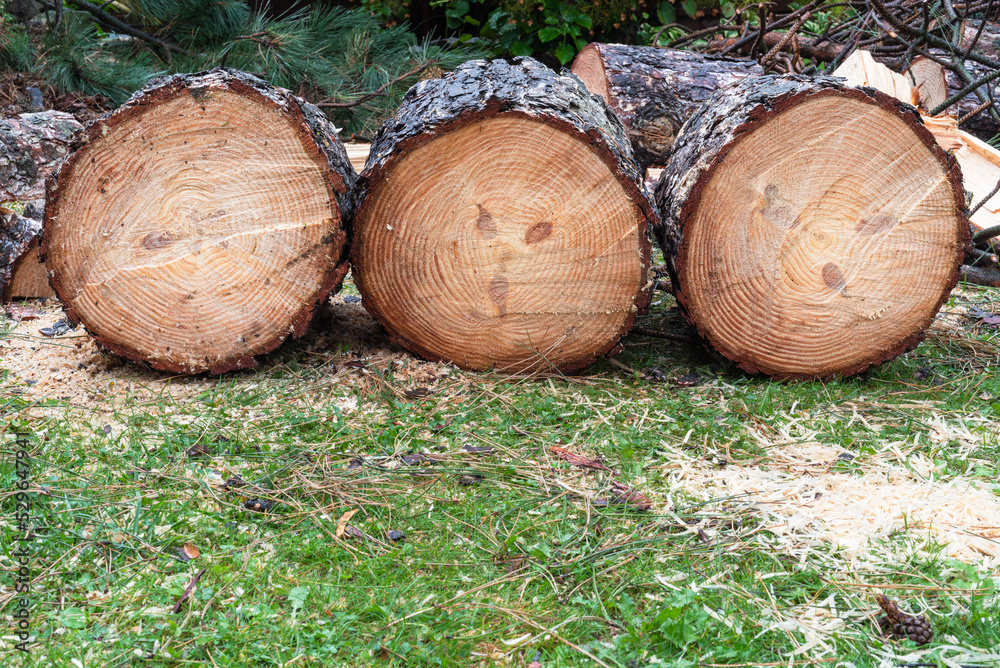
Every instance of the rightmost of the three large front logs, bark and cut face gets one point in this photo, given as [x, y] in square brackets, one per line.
[815, 229]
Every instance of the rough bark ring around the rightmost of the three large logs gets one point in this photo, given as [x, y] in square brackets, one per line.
[678, 193]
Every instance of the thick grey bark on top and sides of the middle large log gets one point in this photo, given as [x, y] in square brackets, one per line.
[480, 90]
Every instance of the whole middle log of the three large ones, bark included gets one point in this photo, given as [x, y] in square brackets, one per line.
[501, 222]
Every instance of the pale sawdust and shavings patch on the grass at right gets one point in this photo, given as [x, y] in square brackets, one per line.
[805, 503]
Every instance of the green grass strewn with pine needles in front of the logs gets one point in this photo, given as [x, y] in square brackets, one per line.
[528, 562]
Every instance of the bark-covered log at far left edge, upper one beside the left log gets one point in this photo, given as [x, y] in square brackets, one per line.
[31, 148]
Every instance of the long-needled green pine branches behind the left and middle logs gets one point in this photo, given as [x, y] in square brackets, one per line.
[325, 54]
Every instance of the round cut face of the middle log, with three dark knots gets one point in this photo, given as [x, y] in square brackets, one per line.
[506, 244]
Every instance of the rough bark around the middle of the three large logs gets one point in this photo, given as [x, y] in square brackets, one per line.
[608, 142]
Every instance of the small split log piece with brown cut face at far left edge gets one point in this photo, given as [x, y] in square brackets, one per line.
[21, 274]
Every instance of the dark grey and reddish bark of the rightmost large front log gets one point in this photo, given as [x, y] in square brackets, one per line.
[712, 132]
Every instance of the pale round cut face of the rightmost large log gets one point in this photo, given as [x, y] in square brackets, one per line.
[816, 269]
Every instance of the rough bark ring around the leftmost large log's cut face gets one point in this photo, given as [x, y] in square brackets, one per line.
[319, 139]
